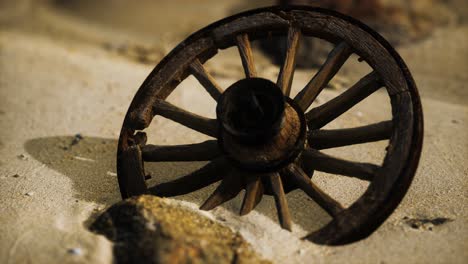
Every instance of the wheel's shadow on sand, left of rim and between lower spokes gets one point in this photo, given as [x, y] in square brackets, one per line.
[90, 162]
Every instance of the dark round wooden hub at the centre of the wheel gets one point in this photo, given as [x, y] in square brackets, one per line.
[260, 129]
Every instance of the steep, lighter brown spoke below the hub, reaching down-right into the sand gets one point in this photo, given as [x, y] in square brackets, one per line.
[280, 200]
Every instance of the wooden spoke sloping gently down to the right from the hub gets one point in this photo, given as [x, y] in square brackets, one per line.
[323, 162]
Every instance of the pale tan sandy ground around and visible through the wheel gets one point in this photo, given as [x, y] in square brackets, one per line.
[60, 79]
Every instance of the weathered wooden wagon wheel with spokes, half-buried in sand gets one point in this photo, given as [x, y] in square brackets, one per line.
[265, 141]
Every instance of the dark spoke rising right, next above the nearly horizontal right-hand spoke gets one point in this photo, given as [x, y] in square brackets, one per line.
[322, 115]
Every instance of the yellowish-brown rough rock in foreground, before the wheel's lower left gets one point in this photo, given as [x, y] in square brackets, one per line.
[148, 229]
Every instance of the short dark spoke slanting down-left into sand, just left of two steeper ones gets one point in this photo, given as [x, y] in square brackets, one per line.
[229, 187]
